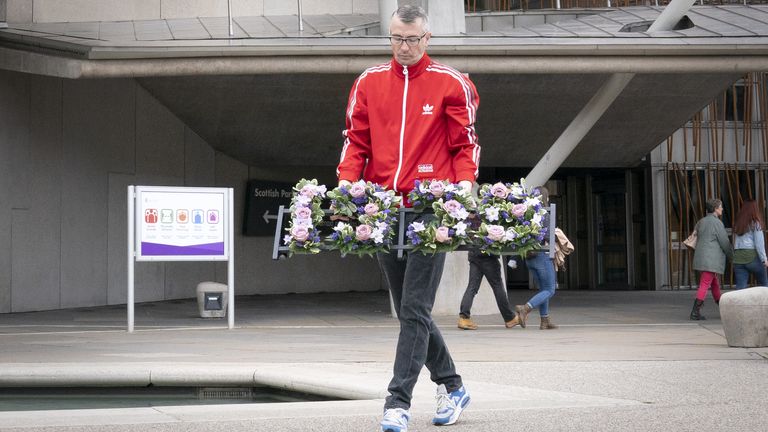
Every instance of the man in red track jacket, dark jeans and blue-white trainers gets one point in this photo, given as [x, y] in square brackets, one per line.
[409, 119]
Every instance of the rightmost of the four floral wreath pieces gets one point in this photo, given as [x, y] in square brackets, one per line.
[511, 217]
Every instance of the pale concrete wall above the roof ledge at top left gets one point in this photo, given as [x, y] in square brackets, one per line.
[125, 10]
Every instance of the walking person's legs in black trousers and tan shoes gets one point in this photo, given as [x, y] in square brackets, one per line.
[480, 265]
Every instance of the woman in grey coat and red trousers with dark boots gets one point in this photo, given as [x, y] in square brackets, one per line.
[712, 247]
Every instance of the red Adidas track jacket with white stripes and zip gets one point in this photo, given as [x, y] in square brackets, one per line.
[408, 123]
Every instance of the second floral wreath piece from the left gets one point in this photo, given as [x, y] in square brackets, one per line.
[368, 217]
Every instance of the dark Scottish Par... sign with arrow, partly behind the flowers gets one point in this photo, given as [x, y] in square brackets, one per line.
[263, 200]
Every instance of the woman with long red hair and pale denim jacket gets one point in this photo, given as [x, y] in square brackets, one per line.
[749, 246]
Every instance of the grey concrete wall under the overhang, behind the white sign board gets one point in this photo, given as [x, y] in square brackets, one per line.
[68, 150]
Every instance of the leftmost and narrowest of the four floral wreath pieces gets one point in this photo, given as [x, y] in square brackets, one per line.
[306, 213]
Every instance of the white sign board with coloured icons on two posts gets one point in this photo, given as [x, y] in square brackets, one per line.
[180, 224]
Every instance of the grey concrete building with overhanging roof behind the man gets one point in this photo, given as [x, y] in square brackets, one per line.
[70, 145]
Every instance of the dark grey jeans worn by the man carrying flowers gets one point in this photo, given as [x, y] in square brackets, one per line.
[413, 284]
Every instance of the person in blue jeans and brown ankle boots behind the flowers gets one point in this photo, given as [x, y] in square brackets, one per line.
[542, 268]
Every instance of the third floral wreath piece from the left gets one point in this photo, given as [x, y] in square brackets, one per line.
[450, 228]
